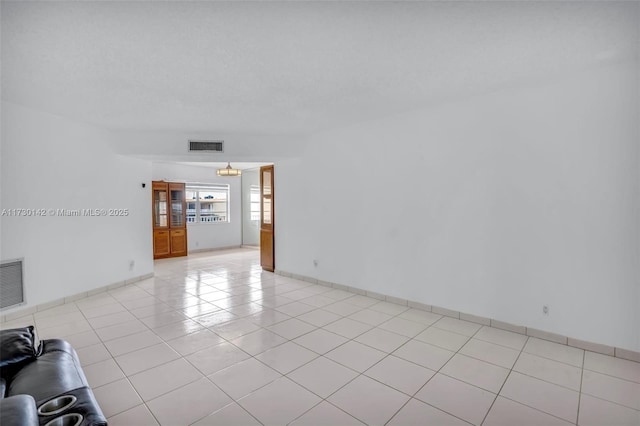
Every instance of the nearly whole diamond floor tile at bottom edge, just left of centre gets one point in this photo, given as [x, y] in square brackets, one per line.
[279, 402]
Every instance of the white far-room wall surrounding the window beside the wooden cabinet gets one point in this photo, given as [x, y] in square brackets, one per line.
[202, 236]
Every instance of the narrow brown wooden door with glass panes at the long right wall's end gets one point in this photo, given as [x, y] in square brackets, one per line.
[267, 238]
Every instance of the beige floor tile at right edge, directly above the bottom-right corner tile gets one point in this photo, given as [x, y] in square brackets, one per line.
[612, 389]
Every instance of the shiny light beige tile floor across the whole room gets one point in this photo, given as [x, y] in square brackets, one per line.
[214, 340]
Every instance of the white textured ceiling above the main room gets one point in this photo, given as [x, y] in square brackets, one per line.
[290, 67]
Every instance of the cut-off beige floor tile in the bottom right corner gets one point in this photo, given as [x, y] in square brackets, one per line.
[598, 412]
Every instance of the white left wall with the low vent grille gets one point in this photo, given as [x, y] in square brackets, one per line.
[50, 162]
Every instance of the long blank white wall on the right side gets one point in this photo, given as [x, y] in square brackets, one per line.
[503, 203]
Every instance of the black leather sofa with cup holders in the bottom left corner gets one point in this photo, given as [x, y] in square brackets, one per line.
[43, 385]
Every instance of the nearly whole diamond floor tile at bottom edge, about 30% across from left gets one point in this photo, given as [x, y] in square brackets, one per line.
[188, 404]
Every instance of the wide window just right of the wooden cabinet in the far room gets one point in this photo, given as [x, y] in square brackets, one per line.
[207, 203]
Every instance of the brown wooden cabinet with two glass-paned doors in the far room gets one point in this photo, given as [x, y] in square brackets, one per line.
[169, 220]
